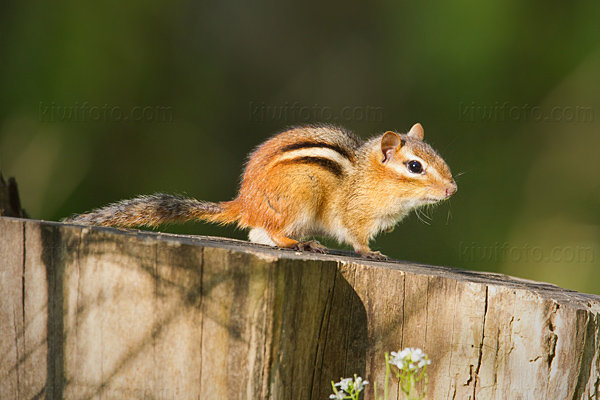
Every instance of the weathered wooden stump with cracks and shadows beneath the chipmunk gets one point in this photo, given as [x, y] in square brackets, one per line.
[90, 313]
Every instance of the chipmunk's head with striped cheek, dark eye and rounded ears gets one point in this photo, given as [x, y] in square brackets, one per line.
[423, 176]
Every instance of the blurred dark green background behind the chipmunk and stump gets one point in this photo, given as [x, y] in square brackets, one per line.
[105, 101]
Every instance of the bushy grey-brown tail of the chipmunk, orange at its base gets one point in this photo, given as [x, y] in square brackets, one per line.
[158, 209]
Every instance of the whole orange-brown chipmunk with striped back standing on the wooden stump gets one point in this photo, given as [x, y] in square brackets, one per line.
[311, 180]
